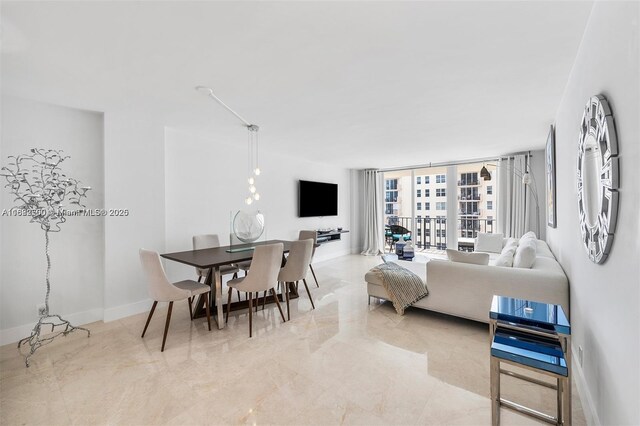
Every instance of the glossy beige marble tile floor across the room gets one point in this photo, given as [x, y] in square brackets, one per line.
[346, 362]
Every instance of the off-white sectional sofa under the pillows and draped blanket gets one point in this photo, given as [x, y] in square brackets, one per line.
[465, 290]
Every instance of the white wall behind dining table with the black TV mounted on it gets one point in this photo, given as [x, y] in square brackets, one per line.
[206, 179]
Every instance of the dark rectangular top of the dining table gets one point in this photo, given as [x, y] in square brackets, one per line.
[207, 258]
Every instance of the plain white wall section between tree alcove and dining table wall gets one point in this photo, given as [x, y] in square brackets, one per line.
[134, 180]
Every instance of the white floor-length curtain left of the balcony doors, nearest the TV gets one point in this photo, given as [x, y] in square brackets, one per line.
[373, 218]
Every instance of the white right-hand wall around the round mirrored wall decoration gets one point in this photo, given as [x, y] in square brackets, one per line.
[605, 299]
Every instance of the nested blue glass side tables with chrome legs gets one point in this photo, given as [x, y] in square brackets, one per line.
[535, 336]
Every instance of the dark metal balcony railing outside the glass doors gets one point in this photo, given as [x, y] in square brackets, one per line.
[431, 233]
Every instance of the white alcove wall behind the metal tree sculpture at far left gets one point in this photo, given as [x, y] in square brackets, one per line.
[77, 252]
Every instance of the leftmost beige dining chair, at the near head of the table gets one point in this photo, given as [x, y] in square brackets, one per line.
[161, 290]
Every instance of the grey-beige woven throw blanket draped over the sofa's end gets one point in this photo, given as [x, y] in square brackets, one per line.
[403, 286]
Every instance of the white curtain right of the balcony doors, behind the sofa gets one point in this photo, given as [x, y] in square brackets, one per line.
[512, 208]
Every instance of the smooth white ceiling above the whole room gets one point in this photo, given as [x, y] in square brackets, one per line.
[358, 84]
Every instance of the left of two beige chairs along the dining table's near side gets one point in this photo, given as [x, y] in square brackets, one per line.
[265, 267]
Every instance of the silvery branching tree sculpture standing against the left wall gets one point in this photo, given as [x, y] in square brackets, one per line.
[41, 191]
